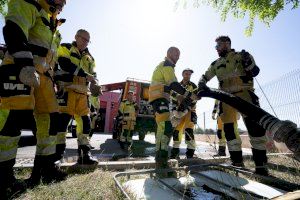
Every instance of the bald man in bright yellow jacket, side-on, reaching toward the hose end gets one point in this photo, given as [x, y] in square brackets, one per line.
[162, 82]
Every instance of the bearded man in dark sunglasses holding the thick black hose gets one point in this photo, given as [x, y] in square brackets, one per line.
[235, 72]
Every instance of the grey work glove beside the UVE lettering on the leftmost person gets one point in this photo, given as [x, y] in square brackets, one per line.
[29, 76]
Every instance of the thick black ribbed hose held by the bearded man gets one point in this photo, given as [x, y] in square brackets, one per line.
[282, 131]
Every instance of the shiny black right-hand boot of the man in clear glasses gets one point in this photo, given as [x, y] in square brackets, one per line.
[85, 157]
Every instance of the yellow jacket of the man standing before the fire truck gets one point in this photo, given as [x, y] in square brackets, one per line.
[127, 110]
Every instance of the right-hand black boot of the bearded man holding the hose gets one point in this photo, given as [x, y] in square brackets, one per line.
[260, 159]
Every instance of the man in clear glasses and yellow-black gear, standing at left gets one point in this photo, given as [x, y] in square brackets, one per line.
[76, 70]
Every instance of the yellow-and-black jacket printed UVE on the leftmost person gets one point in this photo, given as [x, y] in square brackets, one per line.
[30, 36]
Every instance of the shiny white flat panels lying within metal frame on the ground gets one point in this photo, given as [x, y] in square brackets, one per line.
[195, 187]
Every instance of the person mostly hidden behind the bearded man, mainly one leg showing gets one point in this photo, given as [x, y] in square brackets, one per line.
[220, 130]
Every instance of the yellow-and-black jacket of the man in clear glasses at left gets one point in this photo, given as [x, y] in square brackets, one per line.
[76, 66]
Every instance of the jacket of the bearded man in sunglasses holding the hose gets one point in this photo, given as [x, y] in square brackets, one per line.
[233, 76]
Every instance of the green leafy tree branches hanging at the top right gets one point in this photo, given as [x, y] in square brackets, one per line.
[264, 10]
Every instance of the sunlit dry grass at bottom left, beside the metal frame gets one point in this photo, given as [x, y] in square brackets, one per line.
[94, 185]
